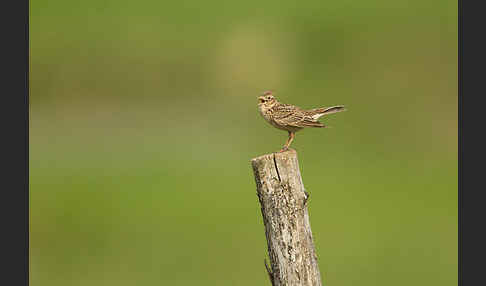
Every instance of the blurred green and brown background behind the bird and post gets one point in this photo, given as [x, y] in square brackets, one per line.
[144, 121]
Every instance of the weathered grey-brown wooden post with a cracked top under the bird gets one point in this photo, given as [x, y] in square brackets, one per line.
[283, 201]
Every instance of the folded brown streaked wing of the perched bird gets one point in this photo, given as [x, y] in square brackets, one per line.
[289, 115]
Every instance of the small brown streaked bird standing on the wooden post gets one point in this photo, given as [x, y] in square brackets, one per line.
[291, 118]
